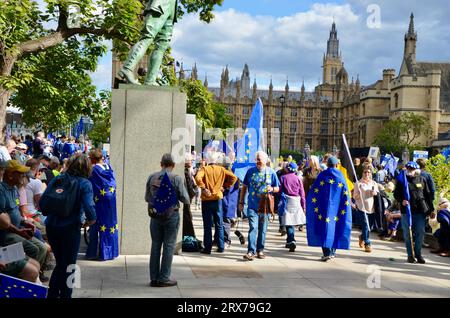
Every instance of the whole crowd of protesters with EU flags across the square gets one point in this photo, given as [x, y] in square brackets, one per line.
[318, 195]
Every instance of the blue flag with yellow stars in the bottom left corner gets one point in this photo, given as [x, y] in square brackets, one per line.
[11, 287]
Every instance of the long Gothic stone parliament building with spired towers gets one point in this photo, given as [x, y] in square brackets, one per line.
[338, 106]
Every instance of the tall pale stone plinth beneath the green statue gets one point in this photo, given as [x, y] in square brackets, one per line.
[143, 119]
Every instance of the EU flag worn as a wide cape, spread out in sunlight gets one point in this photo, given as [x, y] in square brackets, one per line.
[328, 211]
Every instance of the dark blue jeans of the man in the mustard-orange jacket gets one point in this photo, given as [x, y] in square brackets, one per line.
[212, 210]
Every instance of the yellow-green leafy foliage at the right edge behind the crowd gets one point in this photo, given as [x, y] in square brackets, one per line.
[439, 168]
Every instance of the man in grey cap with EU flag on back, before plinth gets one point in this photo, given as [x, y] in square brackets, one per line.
[165, 219]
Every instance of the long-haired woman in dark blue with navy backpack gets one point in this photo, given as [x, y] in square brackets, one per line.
[63, 202]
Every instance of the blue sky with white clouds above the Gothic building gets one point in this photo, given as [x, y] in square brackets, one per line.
[282, 39]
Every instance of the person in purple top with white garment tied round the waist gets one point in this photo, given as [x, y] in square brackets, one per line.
[293, 203]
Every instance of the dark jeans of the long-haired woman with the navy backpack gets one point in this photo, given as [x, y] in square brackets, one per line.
[65, 243]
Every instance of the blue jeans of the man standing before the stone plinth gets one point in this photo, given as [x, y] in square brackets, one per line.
[163, 232]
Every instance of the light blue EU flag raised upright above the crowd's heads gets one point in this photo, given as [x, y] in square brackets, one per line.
[250, 143]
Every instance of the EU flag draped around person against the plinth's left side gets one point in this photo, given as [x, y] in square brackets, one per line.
[104, 233]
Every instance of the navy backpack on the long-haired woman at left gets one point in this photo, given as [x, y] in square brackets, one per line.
[60, 197]
